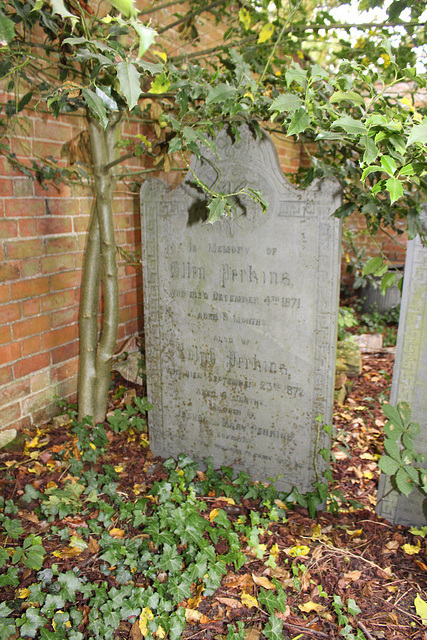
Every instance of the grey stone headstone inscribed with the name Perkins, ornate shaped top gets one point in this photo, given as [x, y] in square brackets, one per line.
[241, 315]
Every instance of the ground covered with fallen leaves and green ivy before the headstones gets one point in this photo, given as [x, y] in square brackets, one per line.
[106, 541]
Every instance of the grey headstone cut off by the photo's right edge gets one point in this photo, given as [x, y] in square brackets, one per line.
[410, 378]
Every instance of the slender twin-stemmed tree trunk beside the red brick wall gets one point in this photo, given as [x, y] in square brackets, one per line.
[99, 266]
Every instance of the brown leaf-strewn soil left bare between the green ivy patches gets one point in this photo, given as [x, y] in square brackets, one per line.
[354, 554]
